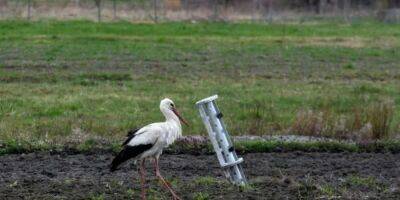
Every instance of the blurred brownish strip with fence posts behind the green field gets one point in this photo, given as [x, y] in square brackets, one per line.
[216, 10]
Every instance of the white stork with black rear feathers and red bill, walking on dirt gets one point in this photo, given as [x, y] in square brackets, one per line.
[149, 142]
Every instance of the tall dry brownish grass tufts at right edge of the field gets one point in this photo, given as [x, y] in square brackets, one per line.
[372, 122]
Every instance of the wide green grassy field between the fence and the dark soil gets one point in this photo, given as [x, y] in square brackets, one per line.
[62, 79]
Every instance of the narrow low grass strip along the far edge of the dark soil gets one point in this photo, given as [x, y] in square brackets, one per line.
[90, 146]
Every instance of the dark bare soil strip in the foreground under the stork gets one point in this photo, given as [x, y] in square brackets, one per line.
[293, 175]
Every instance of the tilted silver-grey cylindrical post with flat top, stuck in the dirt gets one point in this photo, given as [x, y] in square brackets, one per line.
[221, 141]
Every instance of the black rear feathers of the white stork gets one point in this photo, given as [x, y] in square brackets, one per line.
[127, 153]
